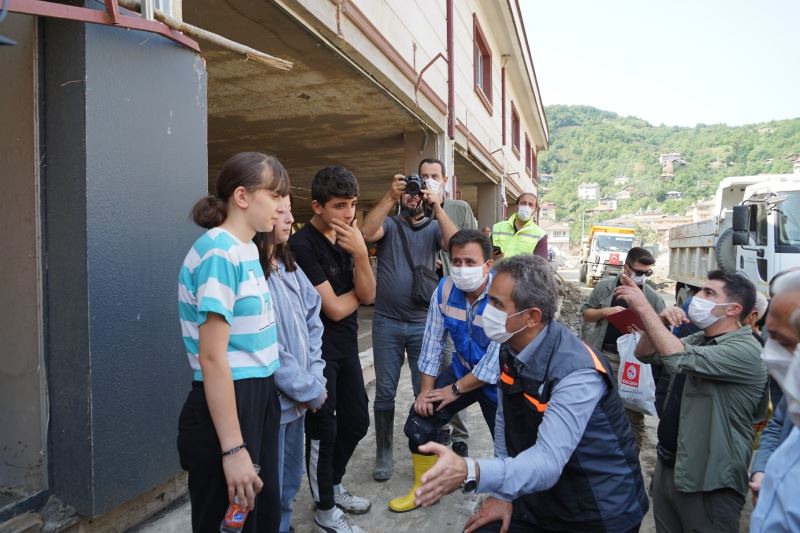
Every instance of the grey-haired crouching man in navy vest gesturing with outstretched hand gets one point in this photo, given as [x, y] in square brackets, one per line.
[565, 458]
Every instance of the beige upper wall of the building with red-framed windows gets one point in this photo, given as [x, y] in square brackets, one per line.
[416, 31]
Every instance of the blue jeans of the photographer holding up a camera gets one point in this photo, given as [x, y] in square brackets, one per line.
[392, 339]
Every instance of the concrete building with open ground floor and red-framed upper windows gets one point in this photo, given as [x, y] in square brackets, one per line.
[369, 89]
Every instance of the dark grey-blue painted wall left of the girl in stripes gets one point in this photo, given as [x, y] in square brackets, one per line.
[126, 158]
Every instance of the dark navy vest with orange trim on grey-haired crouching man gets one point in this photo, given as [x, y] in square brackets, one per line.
[601, 487]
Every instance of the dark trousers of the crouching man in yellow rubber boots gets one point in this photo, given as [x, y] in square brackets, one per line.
[420, 429]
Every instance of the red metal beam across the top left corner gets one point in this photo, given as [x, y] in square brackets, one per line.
[40, 8]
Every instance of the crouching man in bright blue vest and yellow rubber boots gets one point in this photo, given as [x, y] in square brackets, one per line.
[456, 307]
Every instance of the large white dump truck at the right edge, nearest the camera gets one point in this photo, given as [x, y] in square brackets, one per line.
[755, 231]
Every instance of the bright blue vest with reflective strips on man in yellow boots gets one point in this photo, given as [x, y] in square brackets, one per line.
[469, 339]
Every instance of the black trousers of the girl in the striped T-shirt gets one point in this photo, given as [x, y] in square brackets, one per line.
[199, 451]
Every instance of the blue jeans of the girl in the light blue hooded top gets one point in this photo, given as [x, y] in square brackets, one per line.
[290, 467]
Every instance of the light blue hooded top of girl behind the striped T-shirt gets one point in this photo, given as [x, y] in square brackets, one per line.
[297, 306]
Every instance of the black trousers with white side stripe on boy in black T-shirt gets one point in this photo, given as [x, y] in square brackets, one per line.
[333, 432]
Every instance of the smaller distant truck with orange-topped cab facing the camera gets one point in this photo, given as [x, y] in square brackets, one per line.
[603, 252]
